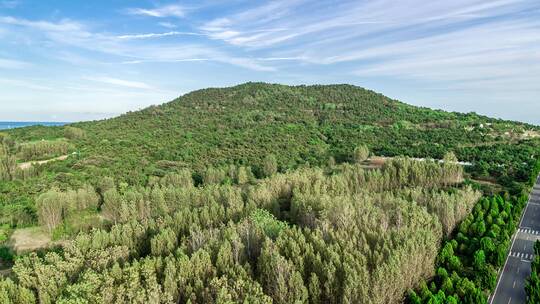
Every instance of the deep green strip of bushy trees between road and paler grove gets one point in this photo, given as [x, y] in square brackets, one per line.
[467, 264]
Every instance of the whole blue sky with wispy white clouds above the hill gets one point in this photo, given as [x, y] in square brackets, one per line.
[82, 60]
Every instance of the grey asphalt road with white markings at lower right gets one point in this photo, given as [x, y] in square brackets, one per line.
[511, 285]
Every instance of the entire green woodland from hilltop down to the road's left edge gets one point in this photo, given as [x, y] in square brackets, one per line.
[264, 193]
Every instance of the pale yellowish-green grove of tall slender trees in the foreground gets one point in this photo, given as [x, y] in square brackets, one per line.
[348, 235]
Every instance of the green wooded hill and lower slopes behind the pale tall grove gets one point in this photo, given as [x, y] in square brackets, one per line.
[267, 127]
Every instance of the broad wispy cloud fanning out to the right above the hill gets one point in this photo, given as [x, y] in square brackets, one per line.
[443, 41]
